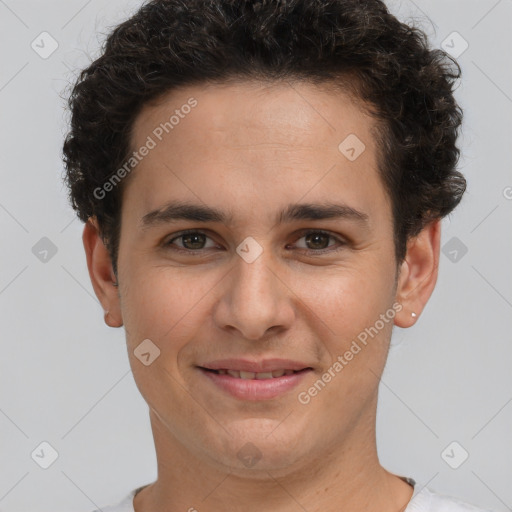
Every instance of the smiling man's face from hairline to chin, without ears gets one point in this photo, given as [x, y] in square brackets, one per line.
[258, 259]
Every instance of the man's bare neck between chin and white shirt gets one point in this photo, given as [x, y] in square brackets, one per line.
[348, 477]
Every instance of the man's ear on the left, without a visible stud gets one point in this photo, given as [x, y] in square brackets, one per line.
[101, 273]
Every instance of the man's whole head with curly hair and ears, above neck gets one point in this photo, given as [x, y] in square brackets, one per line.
[245, 108]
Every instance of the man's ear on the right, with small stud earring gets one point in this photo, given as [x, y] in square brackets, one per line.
[418, 274]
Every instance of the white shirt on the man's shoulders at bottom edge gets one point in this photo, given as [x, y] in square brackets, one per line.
[422, 500]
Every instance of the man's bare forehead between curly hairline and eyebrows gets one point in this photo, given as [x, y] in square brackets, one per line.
[251, 138]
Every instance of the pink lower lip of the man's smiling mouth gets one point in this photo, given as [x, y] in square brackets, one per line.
[256, 389]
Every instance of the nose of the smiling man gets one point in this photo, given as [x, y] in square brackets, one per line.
[255, 299]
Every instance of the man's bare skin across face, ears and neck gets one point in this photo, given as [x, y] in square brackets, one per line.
[254, 148]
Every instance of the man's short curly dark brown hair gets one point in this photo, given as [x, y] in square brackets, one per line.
[387, 66]
